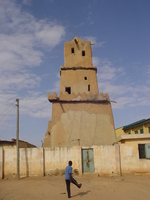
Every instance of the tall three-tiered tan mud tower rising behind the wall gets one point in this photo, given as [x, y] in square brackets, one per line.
[80, 114]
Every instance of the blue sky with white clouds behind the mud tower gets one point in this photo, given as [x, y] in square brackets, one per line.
[32, 36]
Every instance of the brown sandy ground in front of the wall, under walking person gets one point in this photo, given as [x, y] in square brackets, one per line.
[94, 187]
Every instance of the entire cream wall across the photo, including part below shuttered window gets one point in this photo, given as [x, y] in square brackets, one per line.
[108, 160]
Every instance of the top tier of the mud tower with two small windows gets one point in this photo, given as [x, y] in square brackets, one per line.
[77, 53]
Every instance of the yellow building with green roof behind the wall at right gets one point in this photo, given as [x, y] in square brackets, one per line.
[138, 127]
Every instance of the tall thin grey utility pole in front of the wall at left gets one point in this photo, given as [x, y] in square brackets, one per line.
[17, 138]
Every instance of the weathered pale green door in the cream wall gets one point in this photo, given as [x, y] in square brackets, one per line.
[87, 160]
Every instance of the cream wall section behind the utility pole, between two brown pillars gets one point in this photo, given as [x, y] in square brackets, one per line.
[31, 162]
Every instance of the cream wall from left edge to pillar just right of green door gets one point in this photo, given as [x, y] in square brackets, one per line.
[52, 161]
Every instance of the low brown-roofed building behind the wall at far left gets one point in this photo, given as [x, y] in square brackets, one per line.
[12, 143]
